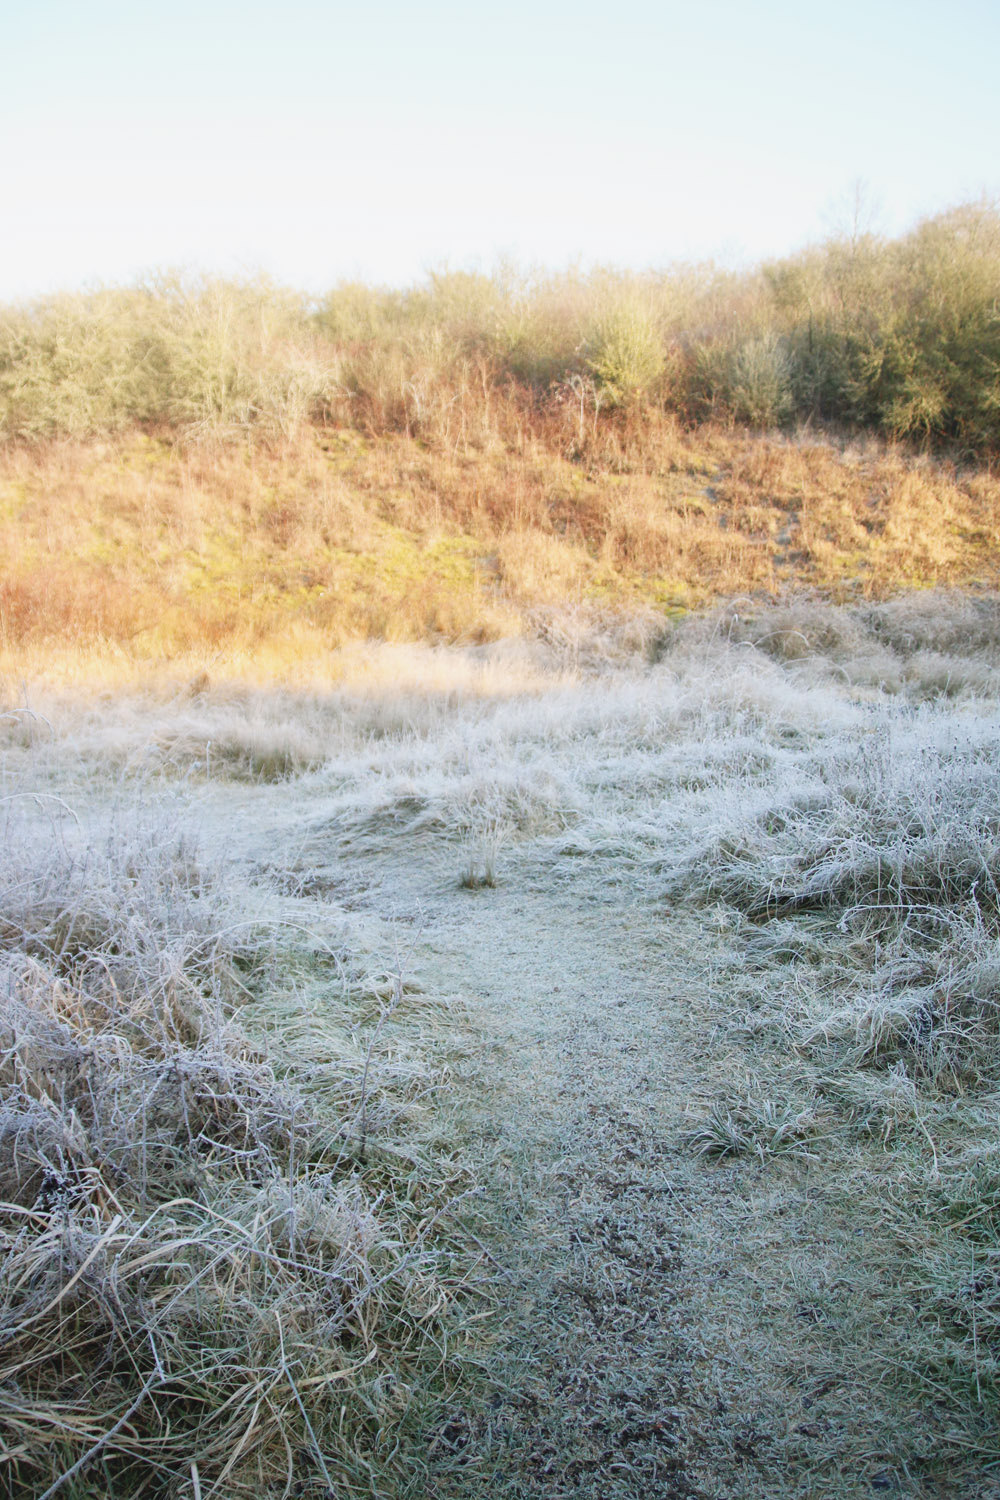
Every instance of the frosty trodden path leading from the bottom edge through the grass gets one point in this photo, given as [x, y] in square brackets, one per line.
[668, 1328]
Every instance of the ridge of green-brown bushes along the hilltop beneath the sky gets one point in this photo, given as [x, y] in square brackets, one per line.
[897, 337]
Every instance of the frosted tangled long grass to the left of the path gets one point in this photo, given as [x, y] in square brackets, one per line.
[223, 1259]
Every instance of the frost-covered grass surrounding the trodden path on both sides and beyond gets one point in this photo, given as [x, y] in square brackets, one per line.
[193, 1085]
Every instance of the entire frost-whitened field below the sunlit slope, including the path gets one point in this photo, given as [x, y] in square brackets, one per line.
[563, 1067]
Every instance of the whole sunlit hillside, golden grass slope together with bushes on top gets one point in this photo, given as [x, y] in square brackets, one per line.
[230, 469]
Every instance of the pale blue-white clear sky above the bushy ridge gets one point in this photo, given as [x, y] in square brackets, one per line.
[320, 142]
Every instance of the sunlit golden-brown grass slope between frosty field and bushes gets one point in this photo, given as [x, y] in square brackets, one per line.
[145, 550]
